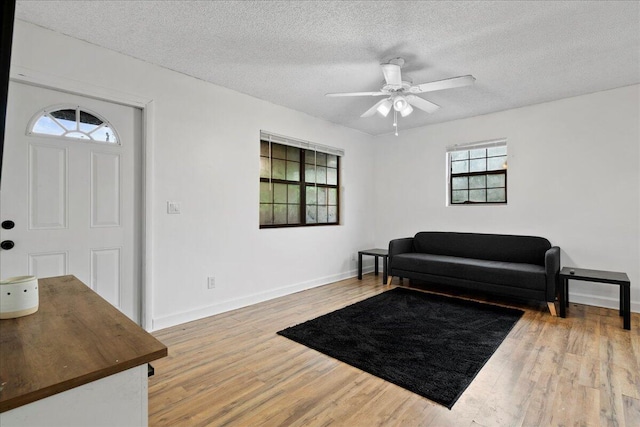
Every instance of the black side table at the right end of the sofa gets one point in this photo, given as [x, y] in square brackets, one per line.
[610, 277]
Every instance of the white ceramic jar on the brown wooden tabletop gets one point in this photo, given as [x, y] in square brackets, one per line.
[18, 296]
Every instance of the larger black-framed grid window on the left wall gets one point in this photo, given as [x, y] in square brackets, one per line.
[299, 183]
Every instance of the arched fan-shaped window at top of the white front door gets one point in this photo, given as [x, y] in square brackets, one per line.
[72, 122]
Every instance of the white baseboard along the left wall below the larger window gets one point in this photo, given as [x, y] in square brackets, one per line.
[235, 303]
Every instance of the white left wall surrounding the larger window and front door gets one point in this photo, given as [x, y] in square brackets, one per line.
[204, 152]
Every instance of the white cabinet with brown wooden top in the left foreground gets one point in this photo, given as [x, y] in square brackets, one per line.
[77, 360]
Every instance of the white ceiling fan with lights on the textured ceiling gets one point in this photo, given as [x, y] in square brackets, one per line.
[401, 94]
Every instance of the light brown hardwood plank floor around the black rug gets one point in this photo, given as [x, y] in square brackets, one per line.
[233, 370]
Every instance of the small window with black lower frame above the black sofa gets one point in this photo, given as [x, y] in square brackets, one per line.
[478, 173]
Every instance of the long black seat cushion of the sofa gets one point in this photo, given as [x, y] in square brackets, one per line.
[529, 276]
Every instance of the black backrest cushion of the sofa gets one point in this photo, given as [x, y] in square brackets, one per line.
[494, 247]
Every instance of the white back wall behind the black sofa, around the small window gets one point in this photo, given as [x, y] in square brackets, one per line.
[574, 178]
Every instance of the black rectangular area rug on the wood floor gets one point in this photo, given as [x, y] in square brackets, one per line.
[429, 344]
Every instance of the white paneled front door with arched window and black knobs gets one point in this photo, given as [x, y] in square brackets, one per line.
[75, 202]
